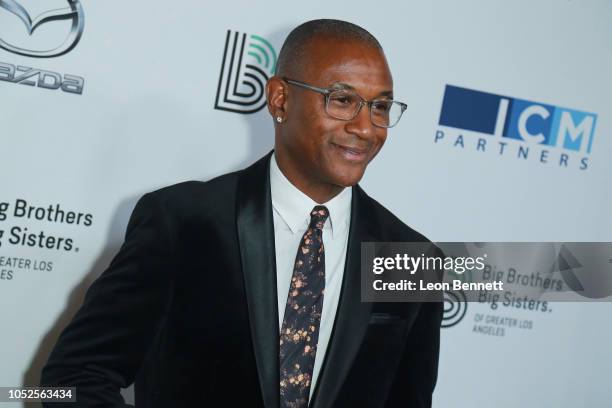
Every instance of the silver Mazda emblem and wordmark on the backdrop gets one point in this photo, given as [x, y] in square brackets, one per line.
[19, 74]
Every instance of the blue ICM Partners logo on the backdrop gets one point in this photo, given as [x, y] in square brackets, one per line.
[518, 127]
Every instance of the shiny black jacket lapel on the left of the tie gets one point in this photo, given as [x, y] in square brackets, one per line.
[256, 240]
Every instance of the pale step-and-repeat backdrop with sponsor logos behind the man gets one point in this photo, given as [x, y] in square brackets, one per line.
[507, 137]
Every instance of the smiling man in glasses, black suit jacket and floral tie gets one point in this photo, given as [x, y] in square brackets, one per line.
[207, 303]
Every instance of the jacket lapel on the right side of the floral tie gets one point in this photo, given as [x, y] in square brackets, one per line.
[352, 315]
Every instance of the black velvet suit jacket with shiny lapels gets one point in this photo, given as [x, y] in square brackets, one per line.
[187, 310]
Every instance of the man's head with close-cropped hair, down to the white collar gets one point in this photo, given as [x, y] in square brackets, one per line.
[319, 153]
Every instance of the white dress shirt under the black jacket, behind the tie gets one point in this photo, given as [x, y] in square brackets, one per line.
[291, 212]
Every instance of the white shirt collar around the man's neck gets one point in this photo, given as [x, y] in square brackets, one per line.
[294, 206]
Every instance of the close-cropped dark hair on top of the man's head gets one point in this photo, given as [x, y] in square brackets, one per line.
[294, 53]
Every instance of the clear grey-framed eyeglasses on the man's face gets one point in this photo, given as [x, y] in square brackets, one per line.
[345, 104]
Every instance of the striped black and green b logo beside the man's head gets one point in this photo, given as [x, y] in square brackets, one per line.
[248, 61]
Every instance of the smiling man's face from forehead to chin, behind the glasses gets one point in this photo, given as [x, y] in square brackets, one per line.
[322, 149]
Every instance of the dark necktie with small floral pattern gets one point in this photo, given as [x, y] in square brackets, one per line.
[300, 331]
